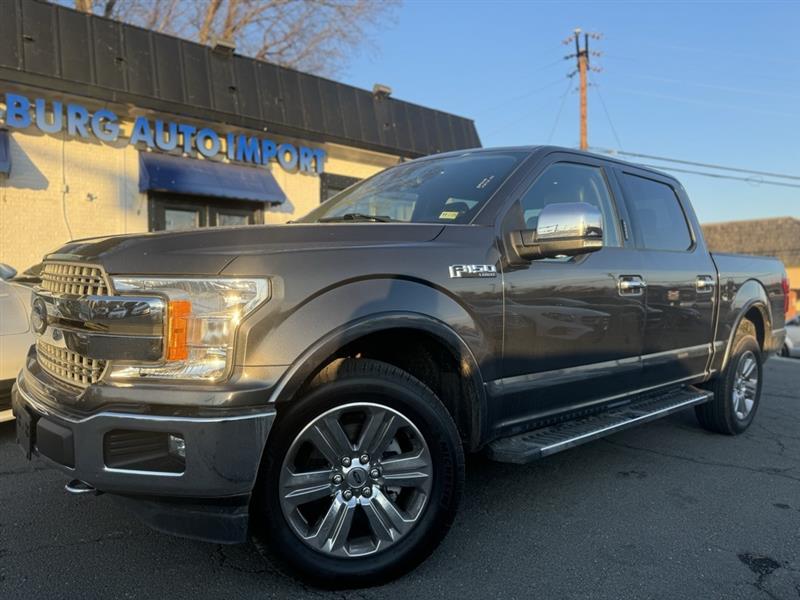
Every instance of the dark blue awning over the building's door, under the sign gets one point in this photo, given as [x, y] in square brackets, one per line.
[165, 173]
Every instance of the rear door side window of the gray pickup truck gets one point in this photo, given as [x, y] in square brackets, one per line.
[657, 214]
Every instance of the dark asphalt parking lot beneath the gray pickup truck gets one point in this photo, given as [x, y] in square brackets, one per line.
[663, 511]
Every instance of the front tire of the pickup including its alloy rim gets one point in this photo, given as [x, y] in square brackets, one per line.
[384, 394]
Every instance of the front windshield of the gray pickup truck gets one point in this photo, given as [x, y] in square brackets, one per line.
[442, 190]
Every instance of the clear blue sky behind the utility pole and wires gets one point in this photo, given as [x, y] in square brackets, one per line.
[712, 82]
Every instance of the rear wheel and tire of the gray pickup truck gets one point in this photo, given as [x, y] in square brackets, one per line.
[735, 400]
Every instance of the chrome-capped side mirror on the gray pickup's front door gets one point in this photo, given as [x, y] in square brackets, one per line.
[566, 229]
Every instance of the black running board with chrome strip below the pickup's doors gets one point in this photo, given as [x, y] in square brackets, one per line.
[531, 445]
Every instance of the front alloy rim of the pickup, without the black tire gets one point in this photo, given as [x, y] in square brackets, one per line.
[355, 480]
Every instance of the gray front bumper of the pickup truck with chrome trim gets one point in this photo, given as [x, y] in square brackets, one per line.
[222, 453]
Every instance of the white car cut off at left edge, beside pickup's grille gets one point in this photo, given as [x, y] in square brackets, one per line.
[15, 334]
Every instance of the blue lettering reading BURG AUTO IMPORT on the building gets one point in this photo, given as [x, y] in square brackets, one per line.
[158, 134]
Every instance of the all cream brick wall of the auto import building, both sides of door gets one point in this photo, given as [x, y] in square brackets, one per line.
[102, 191]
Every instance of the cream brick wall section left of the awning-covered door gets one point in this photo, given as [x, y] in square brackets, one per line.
[86, 187]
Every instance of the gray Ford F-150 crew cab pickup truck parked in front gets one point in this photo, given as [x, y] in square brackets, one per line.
[317, 384]
